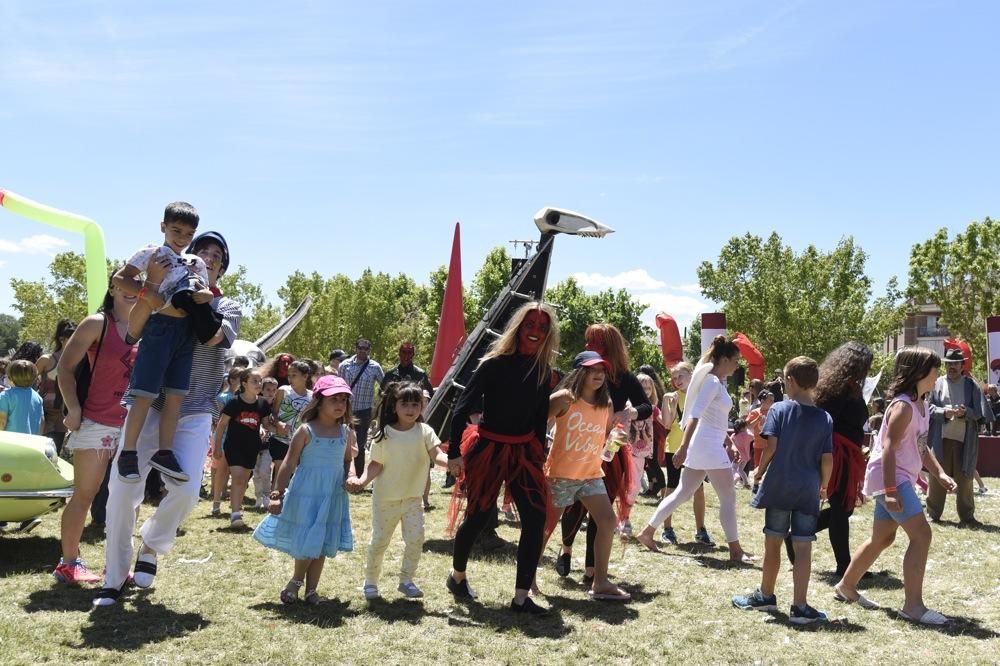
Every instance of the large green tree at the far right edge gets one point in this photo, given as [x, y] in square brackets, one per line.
[962, 277]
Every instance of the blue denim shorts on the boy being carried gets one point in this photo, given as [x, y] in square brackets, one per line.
[164, 358]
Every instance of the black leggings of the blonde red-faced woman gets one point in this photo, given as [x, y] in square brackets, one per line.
[529, 546]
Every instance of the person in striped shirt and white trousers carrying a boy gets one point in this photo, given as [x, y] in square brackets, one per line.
[194, 430]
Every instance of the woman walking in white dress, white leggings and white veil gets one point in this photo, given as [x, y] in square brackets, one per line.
[705, 448]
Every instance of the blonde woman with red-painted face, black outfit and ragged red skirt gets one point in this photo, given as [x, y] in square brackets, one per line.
[513, 382]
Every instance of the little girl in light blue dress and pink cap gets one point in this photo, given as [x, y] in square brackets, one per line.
[311, 521]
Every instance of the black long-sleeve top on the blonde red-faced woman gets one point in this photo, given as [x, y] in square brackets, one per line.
[513, 402]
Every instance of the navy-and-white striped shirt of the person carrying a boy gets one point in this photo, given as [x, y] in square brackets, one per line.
[208, 367]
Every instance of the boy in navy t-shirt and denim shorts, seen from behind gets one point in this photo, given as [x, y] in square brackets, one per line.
[796, 466]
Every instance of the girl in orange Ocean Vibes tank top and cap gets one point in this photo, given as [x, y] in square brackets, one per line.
[581, 408]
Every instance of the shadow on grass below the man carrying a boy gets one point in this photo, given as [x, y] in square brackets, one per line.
[129, 626]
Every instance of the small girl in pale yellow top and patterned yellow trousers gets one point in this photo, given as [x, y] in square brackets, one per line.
[399, 456]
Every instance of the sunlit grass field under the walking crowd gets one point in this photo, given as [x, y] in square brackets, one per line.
[226, 610]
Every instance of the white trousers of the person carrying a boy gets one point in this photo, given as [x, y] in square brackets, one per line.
[160, 531]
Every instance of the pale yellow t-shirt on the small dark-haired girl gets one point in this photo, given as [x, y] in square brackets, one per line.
[405, 456]
